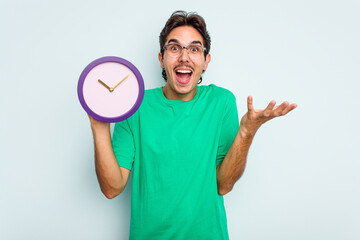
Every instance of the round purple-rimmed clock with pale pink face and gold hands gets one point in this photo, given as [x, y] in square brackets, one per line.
[110, 89]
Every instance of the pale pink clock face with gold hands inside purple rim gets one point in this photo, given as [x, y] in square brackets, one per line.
[110, 89]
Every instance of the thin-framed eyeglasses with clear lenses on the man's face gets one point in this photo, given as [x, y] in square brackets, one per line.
[194, 50]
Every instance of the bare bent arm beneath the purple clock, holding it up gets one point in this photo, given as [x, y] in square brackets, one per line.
[112, 178]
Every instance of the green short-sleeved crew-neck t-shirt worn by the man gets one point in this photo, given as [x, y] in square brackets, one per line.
[174, 148]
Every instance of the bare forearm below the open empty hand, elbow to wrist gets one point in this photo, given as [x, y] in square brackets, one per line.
[233, 165]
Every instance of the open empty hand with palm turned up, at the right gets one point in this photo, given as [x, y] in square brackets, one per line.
[253, 119]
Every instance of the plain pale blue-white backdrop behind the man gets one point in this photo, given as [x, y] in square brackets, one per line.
[302, 176]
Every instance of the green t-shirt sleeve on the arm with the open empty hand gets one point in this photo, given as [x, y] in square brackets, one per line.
[229, 128]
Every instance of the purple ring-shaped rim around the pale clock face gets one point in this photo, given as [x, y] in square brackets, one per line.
[99, 61]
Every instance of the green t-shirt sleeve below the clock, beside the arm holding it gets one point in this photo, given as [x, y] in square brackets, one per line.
[123, 144]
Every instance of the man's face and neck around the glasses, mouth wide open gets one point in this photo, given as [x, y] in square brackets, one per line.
[183, 72]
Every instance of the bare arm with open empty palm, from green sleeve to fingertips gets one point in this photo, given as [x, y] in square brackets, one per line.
[233, 165]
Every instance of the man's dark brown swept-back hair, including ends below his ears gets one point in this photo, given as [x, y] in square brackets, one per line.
[182, 18]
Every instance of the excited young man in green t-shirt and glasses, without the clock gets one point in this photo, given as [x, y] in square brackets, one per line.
[184, 144]
